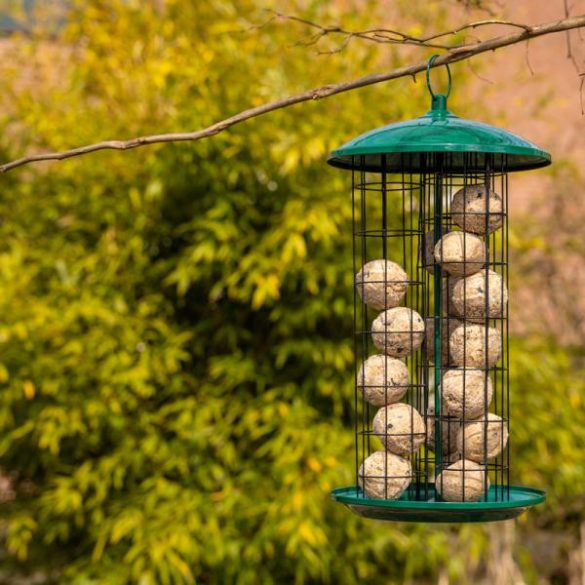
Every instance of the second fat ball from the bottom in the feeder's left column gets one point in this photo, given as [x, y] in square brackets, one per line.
[400, 427]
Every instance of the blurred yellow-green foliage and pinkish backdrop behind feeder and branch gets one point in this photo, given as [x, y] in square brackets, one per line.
[176, 360]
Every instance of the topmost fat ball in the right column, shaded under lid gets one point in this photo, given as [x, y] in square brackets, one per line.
[468, 210]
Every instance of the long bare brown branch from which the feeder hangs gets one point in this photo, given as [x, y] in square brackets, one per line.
[452, 56]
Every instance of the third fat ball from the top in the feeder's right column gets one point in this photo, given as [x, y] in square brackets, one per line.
[480, 296]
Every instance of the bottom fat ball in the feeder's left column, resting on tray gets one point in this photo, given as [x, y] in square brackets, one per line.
[384, 476]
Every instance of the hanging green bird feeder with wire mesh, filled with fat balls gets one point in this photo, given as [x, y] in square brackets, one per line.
[430, 249]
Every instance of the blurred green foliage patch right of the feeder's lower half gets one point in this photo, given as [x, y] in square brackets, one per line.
[548, 383]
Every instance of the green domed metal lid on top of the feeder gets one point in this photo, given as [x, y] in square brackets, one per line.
[439, 131]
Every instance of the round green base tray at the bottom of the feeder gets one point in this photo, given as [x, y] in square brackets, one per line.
[406, 509]
